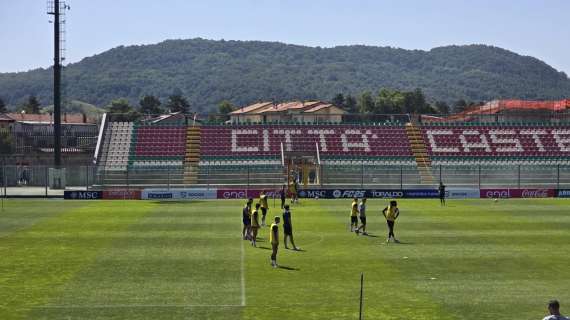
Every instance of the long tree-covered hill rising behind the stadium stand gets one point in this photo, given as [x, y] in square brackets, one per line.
[207, 72]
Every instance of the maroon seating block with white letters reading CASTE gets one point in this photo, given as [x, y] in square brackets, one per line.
[493, 144]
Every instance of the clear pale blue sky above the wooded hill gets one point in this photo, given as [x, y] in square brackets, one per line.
[537, 28]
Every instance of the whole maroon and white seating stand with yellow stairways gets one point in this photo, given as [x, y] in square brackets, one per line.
[240, 154]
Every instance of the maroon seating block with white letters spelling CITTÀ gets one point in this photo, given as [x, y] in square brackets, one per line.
[334, 142]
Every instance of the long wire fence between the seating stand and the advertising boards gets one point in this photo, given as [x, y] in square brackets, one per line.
[42, 180]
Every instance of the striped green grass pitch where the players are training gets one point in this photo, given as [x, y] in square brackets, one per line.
[474, 259]
